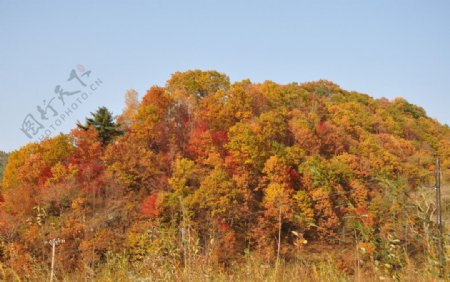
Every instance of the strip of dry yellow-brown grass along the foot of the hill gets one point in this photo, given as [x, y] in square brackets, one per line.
[318, 267]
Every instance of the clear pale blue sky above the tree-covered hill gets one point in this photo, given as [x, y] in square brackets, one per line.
[383, 48]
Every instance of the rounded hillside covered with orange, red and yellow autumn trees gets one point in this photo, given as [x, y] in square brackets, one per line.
[204, 173]
